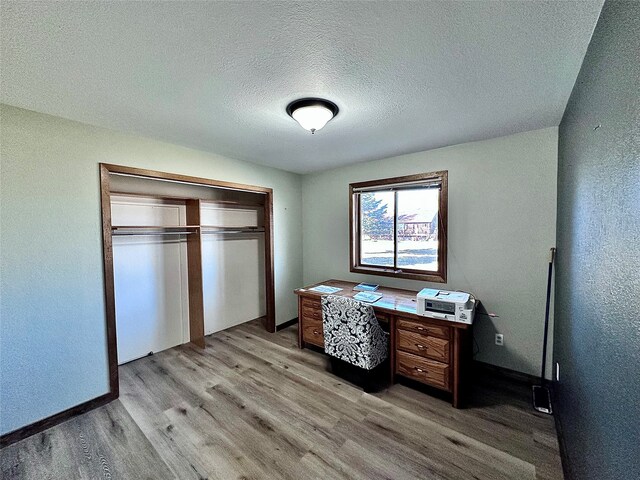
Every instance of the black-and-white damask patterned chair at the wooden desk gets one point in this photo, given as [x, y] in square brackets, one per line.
[355, 341]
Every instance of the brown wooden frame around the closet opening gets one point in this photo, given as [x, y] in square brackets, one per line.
[107, 242]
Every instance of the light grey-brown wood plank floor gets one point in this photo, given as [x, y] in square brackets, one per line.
[251, 405]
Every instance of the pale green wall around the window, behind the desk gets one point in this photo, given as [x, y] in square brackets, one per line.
[502, 207]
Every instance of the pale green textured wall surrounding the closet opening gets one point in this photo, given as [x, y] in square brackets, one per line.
[52, 318]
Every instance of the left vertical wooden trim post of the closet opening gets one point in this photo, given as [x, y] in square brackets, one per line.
[109, 285]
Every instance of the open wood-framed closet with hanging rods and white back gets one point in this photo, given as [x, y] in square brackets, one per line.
[184, 257]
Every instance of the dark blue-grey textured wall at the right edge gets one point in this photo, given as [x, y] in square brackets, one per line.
[597, 331]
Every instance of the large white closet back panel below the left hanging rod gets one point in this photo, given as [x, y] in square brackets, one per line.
[149, 294]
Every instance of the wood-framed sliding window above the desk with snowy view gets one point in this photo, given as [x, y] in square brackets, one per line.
[399, 227]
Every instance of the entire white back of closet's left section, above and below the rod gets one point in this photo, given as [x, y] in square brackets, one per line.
[150, 276]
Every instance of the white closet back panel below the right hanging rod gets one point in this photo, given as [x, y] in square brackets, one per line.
[233, 280]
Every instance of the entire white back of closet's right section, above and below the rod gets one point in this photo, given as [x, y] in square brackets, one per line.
[233, 268]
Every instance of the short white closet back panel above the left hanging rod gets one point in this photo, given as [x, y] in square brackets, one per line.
[145, 213]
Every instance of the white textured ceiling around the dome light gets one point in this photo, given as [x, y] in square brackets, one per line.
[407, 76]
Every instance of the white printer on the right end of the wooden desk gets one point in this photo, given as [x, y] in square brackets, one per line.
[453, 306]
